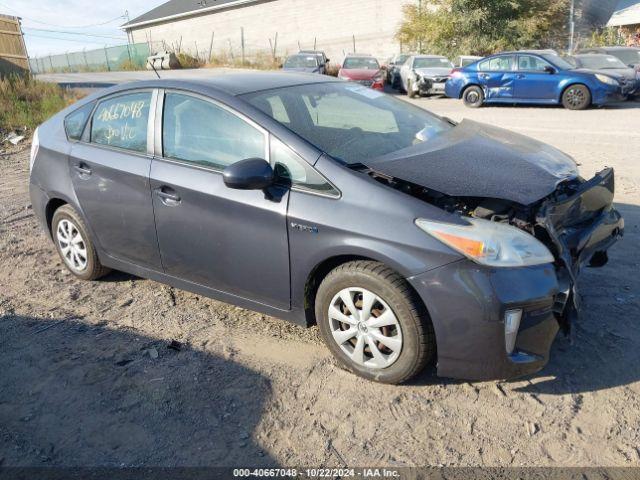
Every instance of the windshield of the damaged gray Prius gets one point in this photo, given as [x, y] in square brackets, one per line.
[350, 122]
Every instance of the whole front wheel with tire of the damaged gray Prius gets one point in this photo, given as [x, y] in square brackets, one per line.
[373, 322]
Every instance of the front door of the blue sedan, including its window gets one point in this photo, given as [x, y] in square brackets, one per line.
[532, 81]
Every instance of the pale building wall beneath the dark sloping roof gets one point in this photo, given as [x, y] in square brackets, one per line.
[332, 24]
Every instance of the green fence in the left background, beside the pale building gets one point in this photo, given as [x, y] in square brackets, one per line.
[123, 57]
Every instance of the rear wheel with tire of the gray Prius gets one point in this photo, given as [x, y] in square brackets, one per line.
[71, 238]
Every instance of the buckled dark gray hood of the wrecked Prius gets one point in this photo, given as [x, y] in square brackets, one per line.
[477, 160]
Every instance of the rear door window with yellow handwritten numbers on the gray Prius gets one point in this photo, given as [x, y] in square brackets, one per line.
[122, 122]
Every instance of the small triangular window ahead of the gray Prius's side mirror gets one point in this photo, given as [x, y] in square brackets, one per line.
[291, 169]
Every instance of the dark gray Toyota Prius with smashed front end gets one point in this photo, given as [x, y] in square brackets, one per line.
[406, 237]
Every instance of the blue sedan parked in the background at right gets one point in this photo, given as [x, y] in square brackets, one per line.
[535, 77]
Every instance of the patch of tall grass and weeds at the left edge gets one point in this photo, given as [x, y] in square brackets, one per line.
[26, 102]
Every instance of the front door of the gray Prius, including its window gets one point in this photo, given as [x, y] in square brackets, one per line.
[234, 241]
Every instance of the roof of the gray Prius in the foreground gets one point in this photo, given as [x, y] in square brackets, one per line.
[236, 83]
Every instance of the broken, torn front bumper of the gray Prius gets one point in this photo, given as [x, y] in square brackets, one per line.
[468, 302]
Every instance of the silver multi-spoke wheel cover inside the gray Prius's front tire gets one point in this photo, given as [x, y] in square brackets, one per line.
[365, 328]
